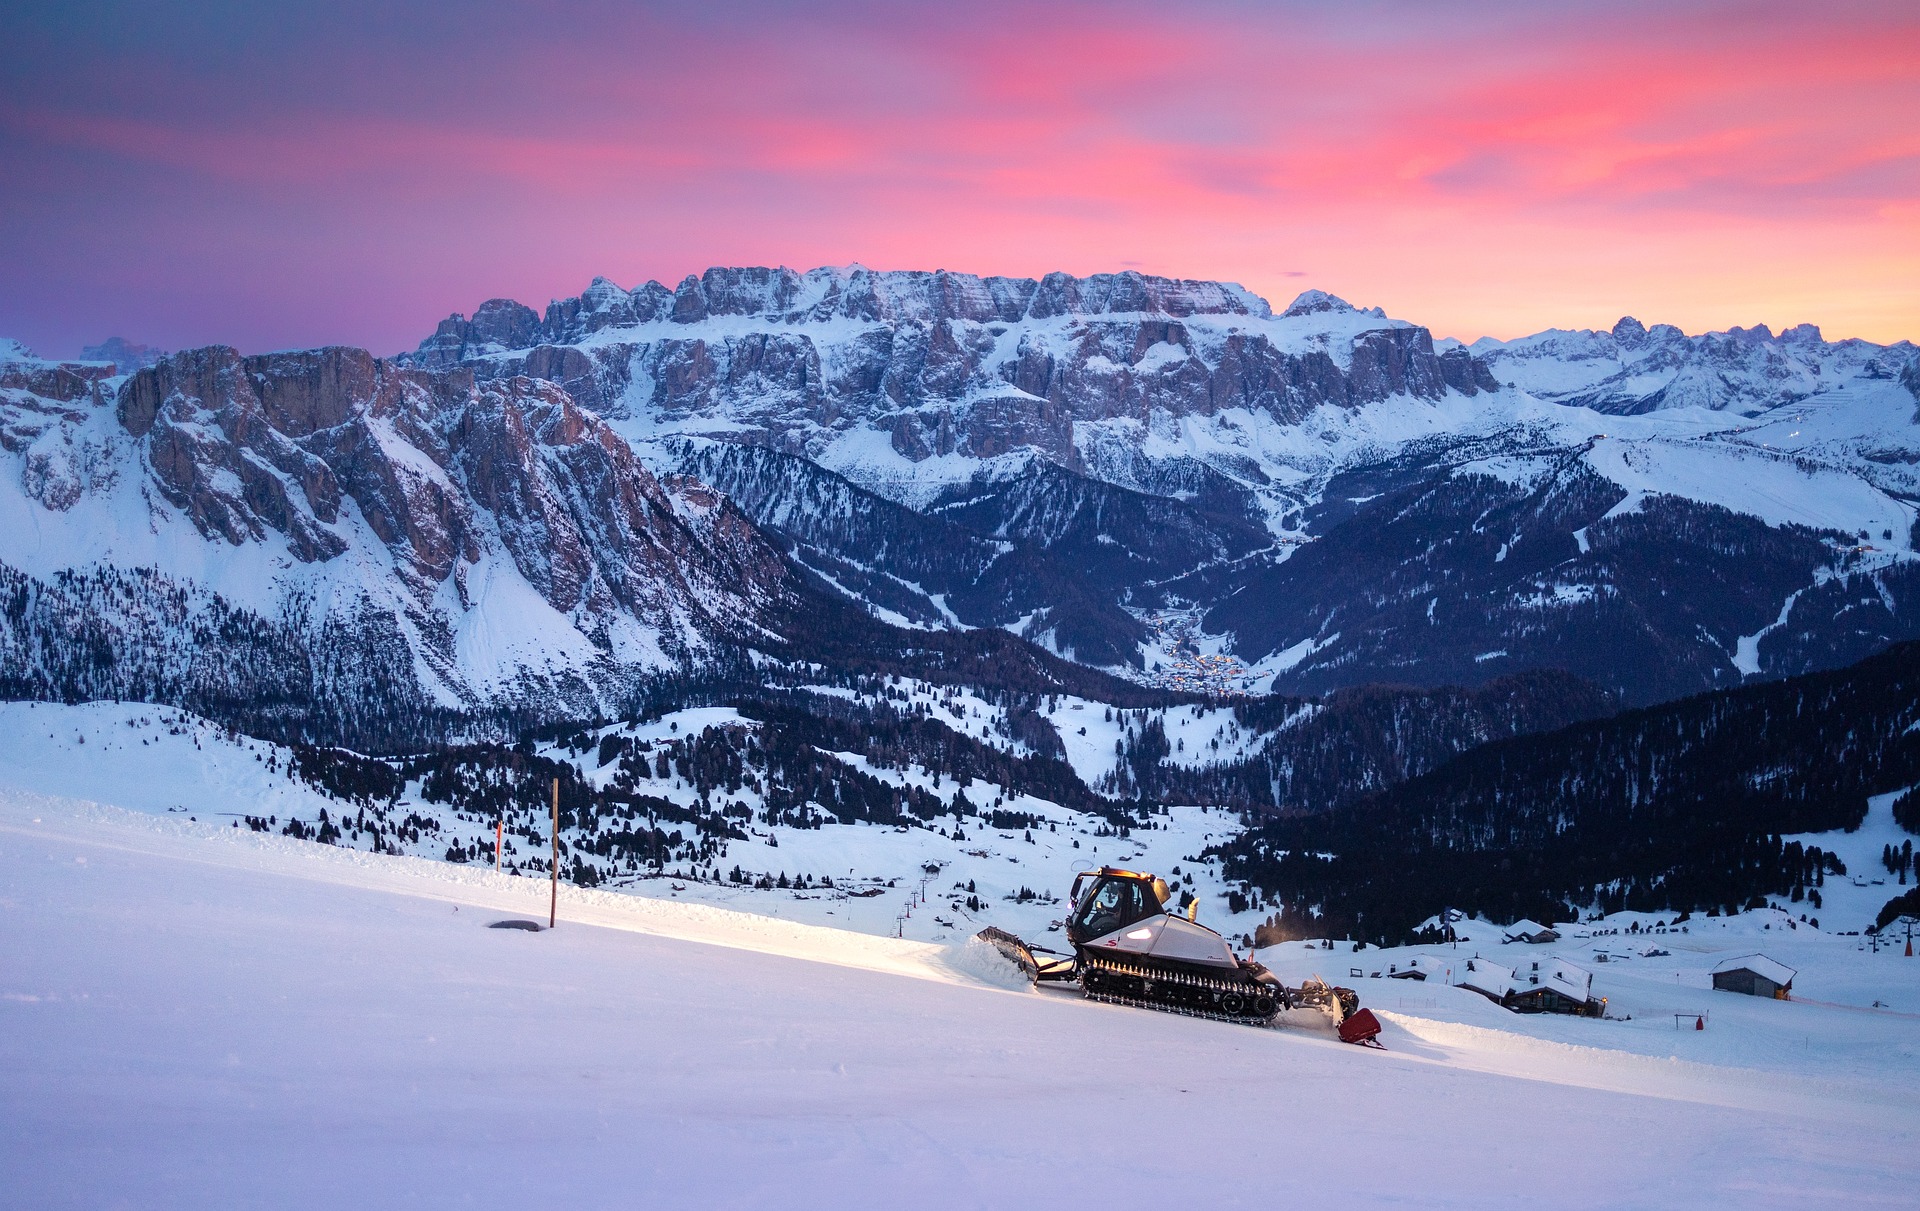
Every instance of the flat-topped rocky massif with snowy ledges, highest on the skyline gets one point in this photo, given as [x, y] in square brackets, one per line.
[946, 364]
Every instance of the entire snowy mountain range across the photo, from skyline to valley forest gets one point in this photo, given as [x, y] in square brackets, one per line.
[1172, 481]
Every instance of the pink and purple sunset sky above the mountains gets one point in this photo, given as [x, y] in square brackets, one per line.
[247, 176]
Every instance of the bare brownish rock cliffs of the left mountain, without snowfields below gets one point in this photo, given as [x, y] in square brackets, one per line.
[439, 467]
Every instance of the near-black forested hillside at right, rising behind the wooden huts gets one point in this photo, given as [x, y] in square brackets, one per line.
[1677, 807]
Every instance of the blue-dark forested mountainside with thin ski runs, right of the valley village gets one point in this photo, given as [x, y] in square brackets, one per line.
[1428, 575]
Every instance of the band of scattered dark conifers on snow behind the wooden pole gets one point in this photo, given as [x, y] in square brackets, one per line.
[807, 759]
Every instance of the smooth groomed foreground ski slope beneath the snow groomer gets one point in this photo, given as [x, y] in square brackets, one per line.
[203, 1016]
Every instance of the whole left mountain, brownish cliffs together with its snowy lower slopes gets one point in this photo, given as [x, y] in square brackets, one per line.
[512, 538]
